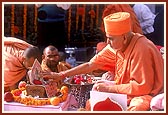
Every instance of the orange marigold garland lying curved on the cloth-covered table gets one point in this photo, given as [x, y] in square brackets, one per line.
[29, 100]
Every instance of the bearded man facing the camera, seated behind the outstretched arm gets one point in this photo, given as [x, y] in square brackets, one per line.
[52, 62]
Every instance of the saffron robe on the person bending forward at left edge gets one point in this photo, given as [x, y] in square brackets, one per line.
[13, 51]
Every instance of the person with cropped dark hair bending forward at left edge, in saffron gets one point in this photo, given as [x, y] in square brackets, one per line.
[19, 56]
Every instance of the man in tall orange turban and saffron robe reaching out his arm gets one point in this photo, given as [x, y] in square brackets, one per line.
[138, 65]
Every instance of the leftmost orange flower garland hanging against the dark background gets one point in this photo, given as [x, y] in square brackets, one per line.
[12, 19]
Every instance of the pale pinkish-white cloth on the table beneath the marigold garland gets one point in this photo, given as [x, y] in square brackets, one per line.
[64, 106]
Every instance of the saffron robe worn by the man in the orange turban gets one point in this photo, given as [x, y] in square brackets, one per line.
[139, 70]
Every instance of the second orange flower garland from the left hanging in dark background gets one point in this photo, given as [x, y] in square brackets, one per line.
[24, 21]
